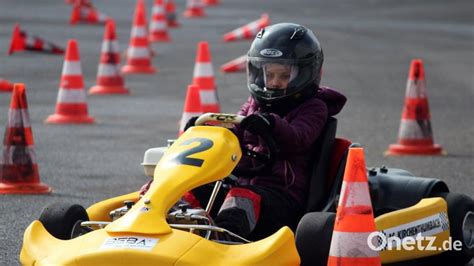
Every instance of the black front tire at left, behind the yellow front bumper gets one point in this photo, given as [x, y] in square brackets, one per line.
[60, 218]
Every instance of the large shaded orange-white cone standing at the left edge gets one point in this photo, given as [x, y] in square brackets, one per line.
[18, 169]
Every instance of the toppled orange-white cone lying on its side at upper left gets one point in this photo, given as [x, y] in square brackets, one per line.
[22, 41]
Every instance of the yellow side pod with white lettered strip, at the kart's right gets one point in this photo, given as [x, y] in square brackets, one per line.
[428, 218]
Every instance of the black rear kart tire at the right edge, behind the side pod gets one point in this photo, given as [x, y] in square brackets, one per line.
[459, 206]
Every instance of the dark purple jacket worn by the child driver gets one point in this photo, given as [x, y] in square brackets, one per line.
[294, 134]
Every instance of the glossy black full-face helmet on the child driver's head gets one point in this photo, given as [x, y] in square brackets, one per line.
[291, 56]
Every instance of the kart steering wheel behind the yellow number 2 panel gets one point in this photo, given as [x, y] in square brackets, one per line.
[264, 159]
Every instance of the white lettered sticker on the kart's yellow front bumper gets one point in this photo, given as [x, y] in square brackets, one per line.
[130, 242]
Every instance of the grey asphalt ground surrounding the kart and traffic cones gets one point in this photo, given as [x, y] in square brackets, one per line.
[368, 46]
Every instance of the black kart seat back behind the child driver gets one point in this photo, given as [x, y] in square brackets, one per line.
[320, 160]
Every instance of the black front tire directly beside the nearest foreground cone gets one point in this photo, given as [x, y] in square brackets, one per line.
[313, 237]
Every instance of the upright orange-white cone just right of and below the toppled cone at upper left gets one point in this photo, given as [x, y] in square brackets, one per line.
[71, 107]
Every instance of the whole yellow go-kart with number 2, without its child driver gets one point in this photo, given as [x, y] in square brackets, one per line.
[156, 230]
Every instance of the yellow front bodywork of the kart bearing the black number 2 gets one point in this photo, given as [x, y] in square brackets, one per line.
[143, 237]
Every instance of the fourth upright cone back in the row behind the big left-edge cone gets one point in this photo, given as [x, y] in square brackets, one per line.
[158, 25]
